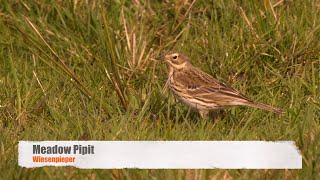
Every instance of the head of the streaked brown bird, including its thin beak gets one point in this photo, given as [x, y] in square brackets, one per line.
[174, 59]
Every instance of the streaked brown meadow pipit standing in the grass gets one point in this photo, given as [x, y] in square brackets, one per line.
[201, 91]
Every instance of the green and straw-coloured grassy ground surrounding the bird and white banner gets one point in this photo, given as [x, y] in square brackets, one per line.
[107, 87]
